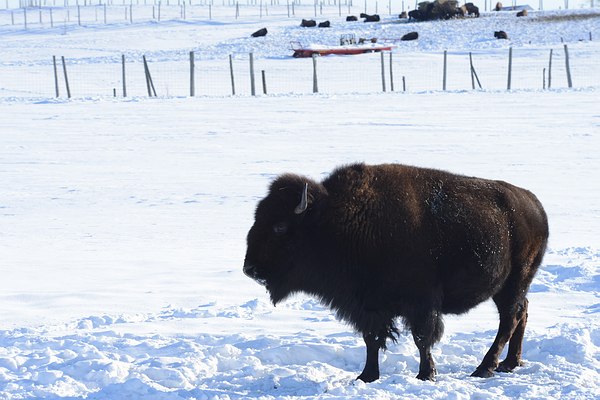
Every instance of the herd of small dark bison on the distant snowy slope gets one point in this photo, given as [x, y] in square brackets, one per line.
[427, 11]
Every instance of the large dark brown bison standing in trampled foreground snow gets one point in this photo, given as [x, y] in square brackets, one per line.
[380, 242]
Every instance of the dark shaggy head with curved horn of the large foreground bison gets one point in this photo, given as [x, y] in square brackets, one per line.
[282, 226]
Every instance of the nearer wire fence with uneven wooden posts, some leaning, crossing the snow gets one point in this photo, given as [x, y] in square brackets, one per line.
[246, 75]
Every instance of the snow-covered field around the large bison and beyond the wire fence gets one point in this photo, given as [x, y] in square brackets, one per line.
[123, 223]
